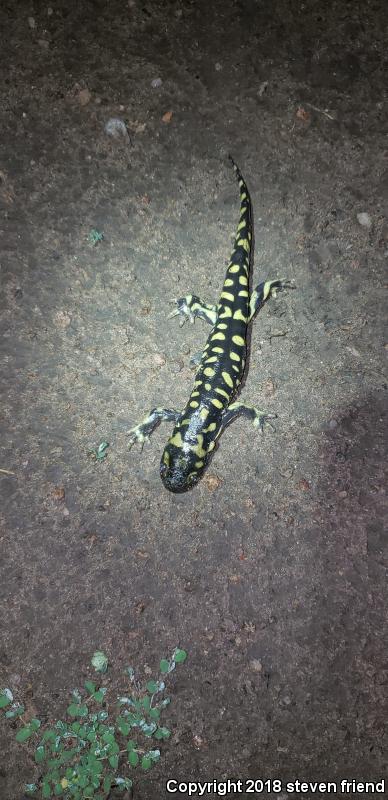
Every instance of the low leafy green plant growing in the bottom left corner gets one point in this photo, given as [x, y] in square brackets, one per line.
[86, 755]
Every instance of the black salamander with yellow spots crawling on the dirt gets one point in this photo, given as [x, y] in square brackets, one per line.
[210, 407]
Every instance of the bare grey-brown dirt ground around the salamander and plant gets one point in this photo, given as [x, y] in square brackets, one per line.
[272, 572]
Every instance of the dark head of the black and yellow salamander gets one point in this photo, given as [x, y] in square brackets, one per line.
[180, 470]
